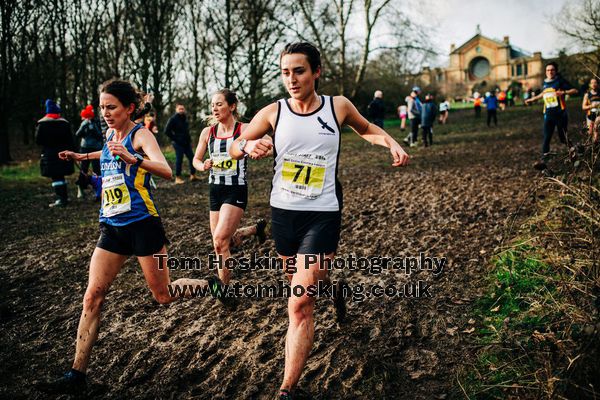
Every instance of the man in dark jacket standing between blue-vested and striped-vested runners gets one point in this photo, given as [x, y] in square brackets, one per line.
[178, 131]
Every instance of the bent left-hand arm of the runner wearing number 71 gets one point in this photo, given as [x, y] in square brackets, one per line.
[262, 123]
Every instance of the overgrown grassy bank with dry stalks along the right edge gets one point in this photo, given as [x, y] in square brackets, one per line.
[538, 333]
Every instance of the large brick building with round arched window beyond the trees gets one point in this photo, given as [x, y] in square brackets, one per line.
[481, 63]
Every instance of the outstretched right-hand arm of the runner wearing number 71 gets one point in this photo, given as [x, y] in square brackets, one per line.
[349, 115]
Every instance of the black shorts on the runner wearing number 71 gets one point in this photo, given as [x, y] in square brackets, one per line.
[305, 232]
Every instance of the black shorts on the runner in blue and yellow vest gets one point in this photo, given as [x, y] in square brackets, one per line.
[140, 238]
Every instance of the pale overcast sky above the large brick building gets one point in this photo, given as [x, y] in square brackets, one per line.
[526, 22]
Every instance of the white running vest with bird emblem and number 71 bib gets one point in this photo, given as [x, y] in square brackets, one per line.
[306, 151]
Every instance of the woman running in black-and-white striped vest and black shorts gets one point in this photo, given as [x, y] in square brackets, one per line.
[227, 180]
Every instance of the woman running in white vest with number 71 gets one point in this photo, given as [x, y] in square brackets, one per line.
[306, 198]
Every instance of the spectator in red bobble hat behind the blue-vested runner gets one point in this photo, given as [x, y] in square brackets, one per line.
[91, 139]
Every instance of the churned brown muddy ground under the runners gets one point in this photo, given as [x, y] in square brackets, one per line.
[457, 200]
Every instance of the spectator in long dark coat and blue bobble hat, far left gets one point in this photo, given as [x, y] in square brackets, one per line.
[53, 133]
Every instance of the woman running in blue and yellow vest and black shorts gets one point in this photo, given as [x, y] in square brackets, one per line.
[129, 220]
